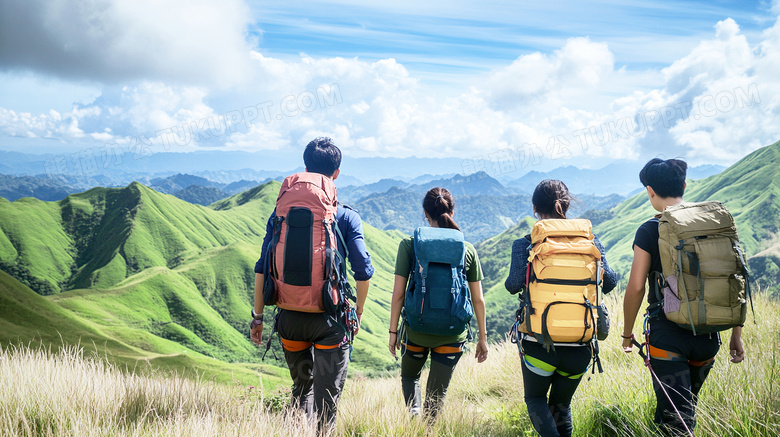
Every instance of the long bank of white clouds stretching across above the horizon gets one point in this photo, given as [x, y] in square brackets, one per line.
[574, 95]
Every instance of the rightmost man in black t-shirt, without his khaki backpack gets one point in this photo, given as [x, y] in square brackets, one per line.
[679, 357]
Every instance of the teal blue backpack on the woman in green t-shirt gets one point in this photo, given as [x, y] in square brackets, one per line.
[438, 300]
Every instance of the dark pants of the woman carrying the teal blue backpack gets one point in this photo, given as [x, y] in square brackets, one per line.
[443, 361]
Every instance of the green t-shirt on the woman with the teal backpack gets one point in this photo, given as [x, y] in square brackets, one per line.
[403, 266]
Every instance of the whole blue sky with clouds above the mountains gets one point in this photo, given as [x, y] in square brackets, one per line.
[535, 85]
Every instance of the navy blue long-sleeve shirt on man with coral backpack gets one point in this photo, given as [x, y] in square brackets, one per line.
[351, 227]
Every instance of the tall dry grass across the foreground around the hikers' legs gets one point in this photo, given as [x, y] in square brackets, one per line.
[68, 394]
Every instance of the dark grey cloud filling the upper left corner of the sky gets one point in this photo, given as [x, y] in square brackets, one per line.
[115, 40]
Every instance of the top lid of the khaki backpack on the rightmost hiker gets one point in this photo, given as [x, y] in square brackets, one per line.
[693, 219]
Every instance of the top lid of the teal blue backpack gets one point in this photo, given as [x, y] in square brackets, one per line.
[439, 245]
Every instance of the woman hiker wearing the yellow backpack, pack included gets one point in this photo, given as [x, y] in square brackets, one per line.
[557, 367]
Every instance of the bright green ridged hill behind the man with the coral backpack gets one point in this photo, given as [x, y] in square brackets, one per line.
[152, 270]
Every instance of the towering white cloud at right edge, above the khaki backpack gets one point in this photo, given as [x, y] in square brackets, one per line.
[731, 91]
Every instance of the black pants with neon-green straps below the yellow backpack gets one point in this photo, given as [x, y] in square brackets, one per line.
[558, 372]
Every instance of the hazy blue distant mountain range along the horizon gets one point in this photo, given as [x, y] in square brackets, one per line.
[230, 166]
